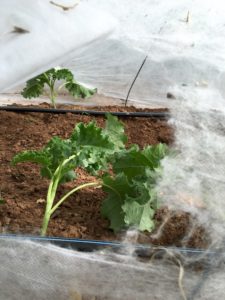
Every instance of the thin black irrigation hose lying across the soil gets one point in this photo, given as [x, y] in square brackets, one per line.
[152, 114]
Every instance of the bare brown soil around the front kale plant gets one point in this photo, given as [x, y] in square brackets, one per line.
[23, 190]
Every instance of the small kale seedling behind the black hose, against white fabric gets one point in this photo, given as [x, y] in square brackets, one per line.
[35, 86]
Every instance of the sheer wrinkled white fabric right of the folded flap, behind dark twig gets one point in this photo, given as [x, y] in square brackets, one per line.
[184, 41]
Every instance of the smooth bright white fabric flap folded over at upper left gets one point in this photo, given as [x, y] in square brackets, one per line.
[37, 35]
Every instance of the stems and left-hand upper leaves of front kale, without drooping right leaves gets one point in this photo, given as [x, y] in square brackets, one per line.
[89, 147]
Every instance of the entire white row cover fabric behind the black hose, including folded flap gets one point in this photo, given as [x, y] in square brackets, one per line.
[184, 42]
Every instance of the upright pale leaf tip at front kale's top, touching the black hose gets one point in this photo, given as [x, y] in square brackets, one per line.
[114, 129]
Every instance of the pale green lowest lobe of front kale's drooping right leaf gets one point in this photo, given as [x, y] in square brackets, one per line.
[139, 215]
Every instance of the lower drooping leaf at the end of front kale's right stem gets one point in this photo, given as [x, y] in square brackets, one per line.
[128, 204]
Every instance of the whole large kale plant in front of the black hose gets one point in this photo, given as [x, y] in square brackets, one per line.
[128, 176]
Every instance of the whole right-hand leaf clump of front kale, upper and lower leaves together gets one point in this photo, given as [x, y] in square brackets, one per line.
[136, 172]
